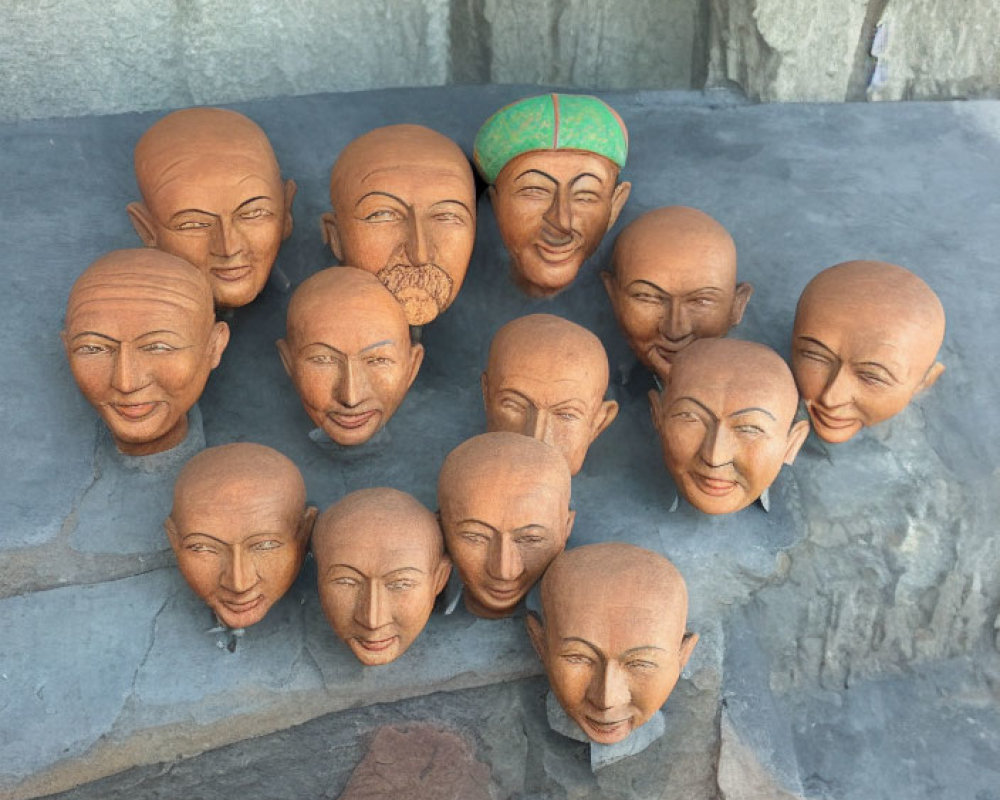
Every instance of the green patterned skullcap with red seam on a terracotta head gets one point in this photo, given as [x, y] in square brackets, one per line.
[550, 122]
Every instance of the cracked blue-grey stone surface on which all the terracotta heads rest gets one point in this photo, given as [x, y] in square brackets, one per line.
[869, 587]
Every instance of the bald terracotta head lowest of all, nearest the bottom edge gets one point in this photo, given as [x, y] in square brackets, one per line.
[612, 635]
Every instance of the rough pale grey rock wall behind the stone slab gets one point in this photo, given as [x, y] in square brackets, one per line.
[71, 57]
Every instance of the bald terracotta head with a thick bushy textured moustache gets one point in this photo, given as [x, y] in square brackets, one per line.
[404, 208]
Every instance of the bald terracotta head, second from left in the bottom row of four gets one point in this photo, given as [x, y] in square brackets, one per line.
[381, 562]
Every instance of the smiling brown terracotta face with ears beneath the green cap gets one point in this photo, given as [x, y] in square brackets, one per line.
[552, 208]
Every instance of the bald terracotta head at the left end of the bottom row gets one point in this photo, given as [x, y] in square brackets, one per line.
[240, 527]
